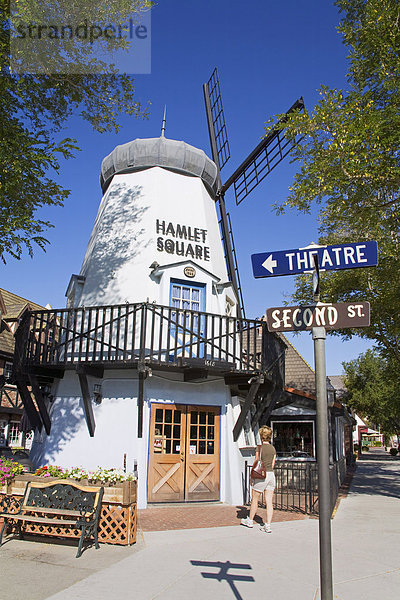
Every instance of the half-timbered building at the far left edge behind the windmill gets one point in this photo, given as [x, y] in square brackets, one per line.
[12, 308]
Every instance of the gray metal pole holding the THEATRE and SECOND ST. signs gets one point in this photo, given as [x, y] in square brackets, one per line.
[324, 495]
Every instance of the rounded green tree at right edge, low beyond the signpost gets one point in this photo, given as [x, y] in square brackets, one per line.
[372, 383]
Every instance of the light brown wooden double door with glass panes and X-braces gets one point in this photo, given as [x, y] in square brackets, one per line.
[183, 453]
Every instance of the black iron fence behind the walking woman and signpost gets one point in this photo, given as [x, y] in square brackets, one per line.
[297, 485]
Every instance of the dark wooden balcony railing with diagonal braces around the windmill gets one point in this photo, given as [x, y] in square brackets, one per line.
[156, 335]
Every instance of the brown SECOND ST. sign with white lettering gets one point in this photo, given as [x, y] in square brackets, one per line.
[330, 316]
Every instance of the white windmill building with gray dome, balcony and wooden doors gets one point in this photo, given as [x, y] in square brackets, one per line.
[152, 351]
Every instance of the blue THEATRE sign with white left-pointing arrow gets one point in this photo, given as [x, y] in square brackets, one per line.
[300, 260]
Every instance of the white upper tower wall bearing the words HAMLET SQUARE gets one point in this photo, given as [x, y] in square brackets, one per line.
[131, 231]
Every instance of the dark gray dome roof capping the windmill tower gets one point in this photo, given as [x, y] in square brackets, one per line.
[159, 152]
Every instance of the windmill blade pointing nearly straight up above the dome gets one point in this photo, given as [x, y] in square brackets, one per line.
[216, 121]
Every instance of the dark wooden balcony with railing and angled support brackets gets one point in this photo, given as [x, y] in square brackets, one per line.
[144, 337]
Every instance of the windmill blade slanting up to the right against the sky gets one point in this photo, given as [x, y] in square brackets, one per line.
[265, 157]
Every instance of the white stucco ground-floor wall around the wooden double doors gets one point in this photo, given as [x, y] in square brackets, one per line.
[69, 443]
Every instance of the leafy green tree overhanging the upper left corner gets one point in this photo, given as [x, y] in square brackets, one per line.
[35, 107]
